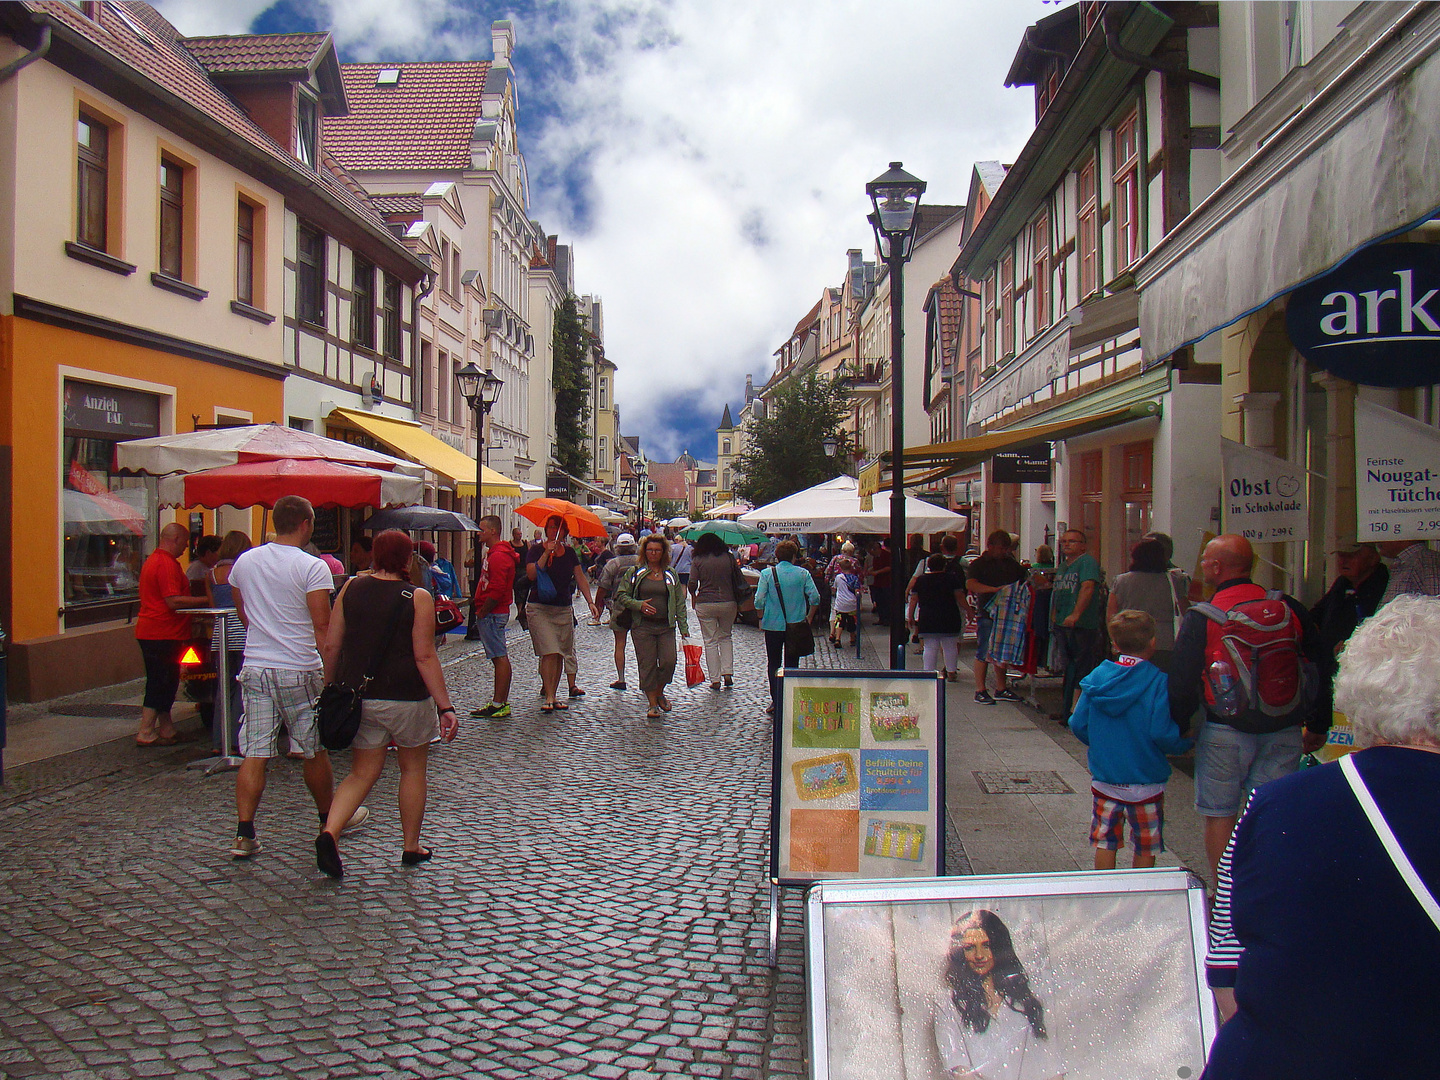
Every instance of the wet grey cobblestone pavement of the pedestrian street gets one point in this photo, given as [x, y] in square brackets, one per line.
[597, 905]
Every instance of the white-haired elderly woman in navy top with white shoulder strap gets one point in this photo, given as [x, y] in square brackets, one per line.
[1326, 932]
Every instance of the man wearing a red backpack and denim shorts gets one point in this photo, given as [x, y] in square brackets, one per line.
[1252, 657]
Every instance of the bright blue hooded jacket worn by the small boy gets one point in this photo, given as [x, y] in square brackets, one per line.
[1124, 718]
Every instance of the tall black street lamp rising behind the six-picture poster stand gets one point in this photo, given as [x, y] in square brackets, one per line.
[896, 199]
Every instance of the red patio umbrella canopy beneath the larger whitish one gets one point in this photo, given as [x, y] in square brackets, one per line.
[260, 483]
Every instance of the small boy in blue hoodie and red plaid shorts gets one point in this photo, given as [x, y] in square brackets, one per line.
[1124, 718]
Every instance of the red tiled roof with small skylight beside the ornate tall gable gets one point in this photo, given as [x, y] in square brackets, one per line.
[427, 120]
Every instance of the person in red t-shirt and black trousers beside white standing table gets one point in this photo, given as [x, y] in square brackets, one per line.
[163, 631]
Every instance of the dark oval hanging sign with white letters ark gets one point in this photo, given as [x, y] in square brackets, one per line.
[1374, 319]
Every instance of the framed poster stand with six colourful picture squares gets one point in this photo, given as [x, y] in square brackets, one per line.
[859, 784]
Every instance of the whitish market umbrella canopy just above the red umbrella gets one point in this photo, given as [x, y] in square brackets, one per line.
[220, 447]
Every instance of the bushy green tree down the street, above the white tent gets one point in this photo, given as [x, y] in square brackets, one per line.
[784, 451]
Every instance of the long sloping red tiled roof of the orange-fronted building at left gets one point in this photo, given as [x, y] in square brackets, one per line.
[136, 35]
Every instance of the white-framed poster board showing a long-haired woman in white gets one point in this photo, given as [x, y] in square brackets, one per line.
[1092, 976]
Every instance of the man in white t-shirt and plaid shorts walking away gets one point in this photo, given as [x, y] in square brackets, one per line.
[283, 597]
